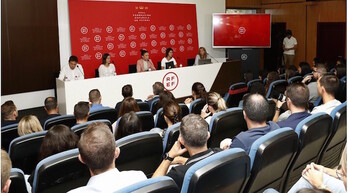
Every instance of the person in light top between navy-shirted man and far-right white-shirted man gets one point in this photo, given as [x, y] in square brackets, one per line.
[318, 71]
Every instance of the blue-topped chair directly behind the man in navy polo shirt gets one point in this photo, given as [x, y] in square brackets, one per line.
[313, 133]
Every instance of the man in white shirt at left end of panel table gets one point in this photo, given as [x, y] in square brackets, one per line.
[73, 71]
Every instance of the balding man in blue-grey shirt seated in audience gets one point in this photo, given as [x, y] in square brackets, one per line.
[255, 111]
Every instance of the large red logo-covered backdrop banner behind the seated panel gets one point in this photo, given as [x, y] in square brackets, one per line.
[123, 28]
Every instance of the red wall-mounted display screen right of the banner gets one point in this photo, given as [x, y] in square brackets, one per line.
[241, 30]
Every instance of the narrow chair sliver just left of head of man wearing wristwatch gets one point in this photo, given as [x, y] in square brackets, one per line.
[170, 137]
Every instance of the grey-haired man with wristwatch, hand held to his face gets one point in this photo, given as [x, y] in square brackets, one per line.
[193, 136]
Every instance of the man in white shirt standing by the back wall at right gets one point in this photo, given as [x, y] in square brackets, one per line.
[289, 47]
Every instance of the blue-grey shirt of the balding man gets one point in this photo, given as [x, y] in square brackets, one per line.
[246, 139]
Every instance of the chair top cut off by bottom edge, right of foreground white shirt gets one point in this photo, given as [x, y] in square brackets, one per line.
[162, 184]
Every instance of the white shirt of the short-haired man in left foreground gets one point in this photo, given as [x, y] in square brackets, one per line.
[110, 181]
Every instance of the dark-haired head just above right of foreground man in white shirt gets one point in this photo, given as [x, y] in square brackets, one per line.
[128, 124]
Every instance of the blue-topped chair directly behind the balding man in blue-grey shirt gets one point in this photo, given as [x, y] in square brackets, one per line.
[270, 158]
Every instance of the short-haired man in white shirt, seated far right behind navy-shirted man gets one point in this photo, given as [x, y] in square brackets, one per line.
[327, 87]
